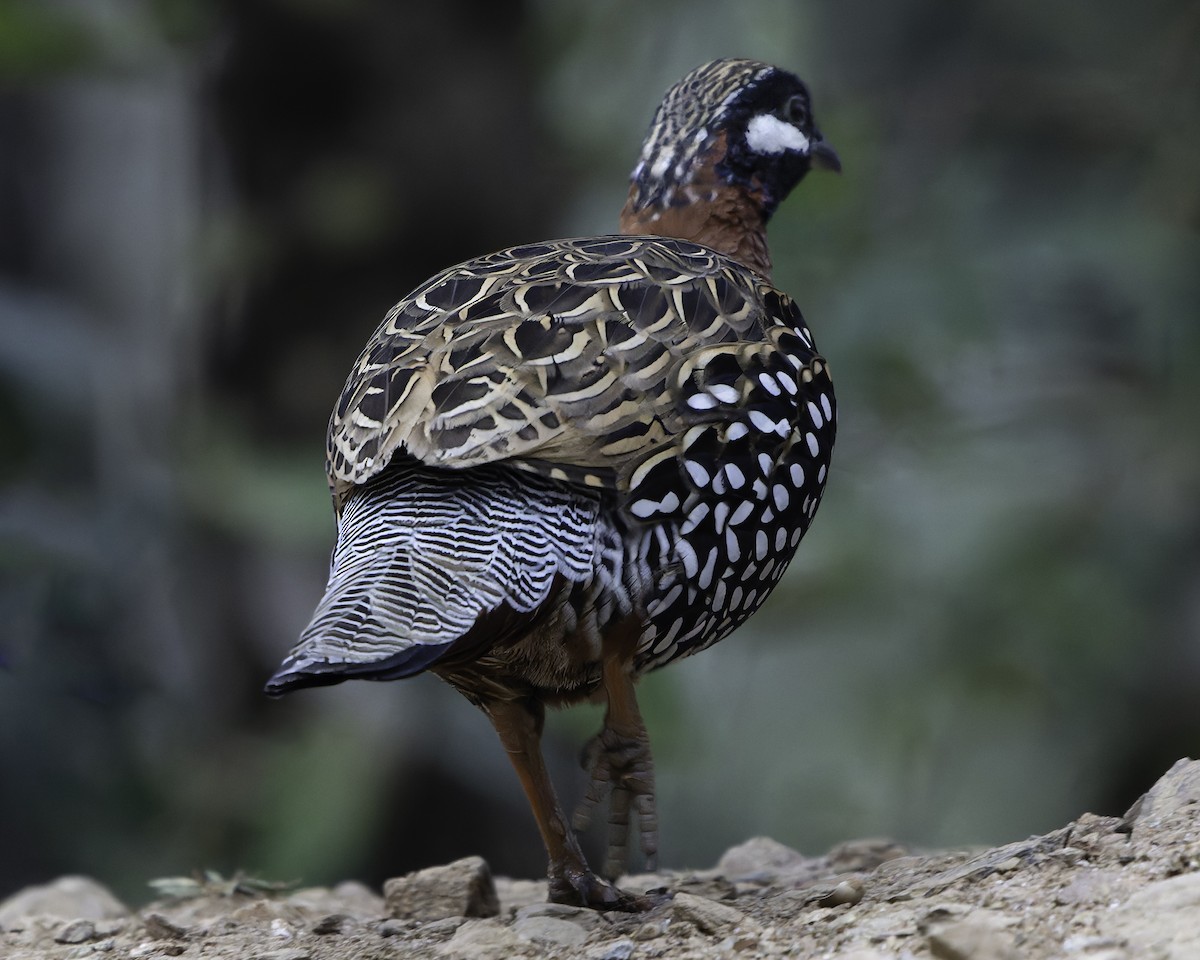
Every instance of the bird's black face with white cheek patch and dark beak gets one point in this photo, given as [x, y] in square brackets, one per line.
[772, 140]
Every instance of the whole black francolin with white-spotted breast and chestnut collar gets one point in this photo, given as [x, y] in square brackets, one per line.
[563, 465]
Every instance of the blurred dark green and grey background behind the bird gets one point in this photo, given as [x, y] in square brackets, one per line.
[207, 208]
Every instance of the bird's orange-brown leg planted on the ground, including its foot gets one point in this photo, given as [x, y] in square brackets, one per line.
[572, 881]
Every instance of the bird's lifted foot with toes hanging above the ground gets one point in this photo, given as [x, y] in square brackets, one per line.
[623, 770]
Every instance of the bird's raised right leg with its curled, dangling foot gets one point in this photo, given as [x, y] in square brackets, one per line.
[622, 767]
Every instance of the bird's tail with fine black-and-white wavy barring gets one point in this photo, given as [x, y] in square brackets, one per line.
[431, 563]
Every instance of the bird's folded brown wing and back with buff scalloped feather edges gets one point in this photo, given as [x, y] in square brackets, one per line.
[577, 361]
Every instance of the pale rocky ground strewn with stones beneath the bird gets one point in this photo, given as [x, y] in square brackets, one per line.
[1101, 889]
